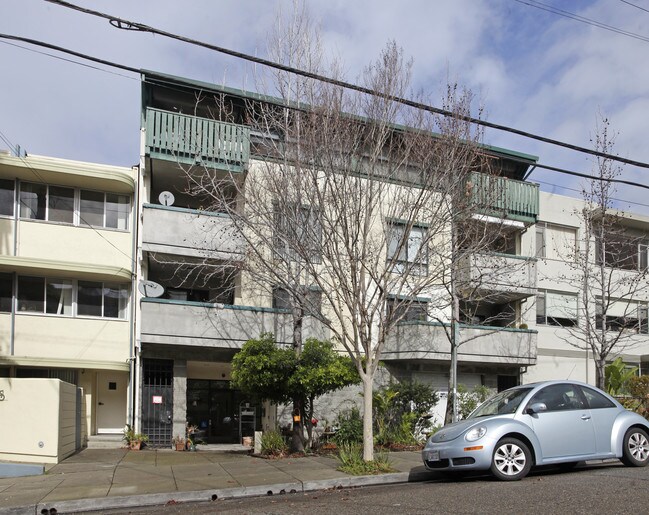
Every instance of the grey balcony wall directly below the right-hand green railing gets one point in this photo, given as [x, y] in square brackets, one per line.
[498, 277]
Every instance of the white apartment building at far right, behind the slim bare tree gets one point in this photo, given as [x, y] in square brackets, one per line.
[557, 241]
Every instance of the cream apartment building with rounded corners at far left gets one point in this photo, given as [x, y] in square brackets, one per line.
[66, 280]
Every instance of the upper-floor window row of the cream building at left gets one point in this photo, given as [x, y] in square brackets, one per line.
[65, 205]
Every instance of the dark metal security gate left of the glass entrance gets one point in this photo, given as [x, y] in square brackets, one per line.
[157, 401]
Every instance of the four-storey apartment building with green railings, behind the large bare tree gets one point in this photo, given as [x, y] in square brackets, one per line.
[194, 312]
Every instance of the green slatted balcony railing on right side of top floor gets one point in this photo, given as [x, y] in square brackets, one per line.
[506, 198]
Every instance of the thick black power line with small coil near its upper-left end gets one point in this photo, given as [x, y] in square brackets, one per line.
[124, 24]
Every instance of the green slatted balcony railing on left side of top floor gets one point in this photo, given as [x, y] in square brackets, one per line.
[190, 140]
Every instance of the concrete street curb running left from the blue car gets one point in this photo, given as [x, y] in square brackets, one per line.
[133, 501]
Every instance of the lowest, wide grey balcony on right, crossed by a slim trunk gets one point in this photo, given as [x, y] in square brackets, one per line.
[481, 344]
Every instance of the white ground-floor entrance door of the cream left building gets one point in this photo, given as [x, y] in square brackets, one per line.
[111, 401]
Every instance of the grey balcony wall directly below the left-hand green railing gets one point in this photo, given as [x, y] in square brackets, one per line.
[188, 232]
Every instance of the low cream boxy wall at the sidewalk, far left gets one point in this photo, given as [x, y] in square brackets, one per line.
[39, 420]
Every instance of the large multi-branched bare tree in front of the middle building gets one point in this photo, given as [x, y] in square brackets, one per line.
[355, 209]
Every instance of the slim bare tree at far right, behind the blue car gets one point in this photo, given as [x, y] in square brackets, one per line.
[610, 265]
